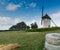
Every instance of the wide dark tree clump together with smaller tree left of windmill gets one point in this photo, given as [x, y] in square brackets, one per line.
[23, 26]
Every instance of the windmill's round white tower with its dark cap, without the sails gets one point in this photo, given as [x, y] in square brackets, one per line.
[46, 21]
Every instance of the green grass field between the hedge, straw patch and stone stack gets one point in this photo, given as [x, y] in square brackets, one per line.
[26, 40]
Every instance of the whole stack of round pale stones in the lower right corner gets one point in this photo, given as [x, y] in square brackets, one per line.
[52, 41]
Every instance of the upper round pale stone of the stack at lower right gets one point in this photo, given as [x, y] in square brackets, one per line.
[53, 38]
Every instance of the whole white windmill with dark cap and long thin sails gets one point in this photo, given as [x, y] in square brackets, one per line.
[45, 19]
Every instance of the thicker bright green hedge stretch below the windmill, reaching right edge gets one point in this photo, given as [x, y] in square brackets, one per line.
[44, 29]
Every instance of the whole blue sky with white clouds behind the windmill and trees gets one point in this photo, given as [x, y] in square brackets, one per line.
[29, 11]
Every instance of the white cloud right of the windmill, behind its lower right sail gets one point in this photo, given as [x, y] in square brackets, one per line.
[56, 18]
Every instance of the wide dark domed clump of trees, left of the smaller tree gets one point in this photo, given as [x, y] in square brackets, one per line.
[19, 26]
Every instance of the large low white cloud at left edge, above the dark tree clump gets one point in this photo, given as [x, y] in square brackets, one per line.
[7, 22]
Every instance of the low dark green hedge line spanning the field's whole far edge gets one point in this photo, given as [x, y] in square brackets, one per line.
[36, 30]
